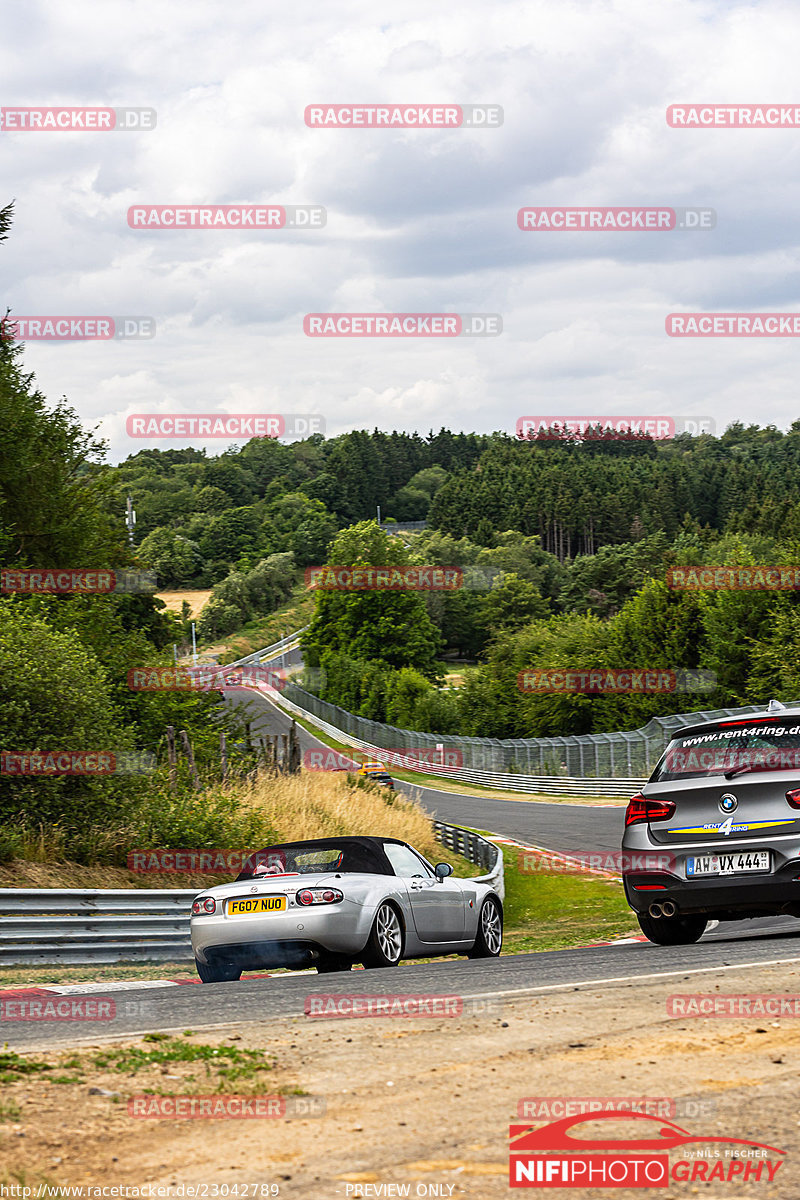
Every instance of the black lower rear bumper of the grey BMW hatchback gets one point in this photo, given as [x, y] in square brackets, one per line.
[720, 897]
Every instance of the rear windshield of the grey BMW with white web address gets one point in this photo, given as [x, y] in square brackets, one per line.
[732, 748]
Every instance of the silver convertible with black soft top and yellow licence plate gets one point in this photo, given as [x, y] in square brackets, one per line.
[335, 902]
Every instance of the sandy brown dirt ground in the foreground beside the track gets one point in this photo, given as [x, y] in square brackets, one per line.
[419, 1101]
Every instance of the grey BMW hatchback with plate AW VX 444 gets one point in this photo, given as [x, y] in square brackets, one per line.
[715, 832]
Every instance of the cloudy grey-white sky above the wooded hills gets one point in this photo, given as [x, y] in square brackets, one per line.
[418, 220]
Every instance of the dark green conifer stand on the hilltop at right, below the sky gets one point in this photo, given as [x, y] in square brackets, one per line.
[580, 497]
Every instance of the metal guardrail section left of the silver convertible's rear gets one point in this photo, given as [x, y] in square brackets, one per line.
[80, 926]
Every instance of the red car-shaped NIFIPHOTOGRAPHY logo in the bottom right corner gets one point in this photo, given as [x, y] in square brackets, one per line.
[558, 1156]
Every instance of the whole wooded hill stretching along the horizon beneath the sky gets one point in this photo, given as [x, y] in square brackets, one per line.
[200, 514]
